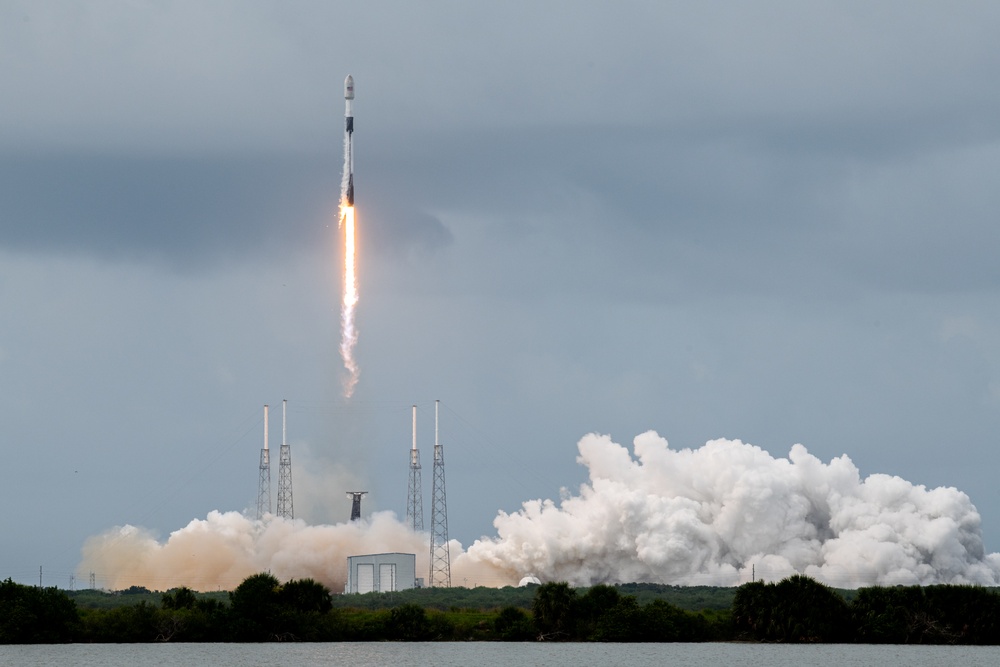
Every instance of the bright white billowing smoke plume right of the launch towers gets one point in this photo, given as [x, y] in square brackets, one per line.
[728, 511]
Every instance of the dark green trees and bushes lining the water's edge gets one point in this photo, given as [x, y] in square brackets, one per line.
[261, 608]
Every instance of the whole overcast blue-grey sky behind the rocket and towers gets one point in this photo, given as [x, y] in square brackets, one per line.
[769, 221]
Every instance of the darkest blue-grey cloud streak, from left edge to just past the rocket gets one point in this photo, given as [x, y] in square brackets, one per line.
[186, 211]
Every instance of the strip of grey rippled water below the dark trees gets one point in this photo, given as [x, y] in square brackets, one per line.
[485, 654]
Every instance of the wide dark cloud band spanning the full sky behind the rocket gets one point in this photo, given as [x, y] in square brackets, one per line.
[752, 206]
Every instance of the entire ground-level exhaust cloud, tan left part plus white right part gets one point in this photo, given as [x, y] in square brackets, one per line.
[717, 515]
